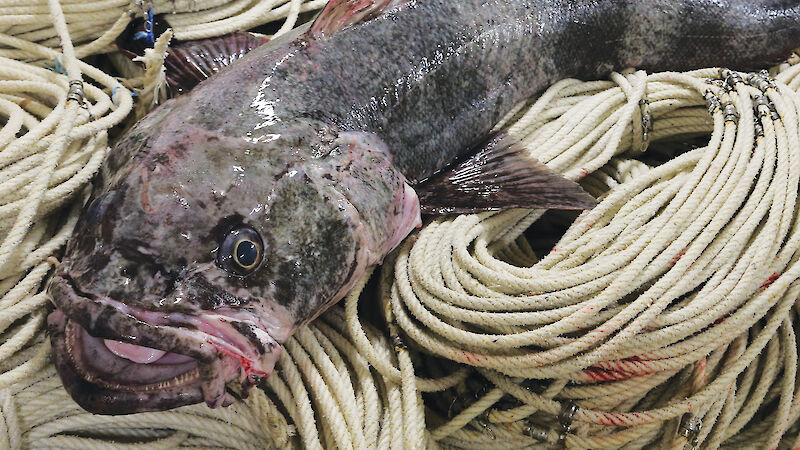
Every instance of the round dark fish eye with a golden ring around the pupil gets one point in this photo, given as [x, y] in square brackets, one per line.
[241, 251]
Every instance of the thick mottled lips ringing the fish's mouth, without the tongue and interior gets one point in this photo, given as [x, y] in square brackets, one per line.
[224, 360]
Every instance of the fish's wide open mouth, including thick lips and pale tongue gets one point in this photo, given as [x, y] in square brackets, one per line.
[117, 359]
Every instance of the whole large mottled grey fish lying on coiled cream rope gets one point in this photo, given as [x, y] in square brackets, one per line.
[234, 214]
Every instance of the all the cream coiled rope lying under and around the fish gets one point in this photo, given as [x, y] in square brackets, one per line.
[663, 316]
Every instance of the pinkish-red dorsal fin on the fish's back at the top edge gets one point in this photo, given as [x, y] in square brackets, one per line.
[339, 14]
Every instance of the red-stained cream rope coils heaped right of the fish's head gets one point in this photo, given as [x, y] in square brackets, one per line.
[672, 300]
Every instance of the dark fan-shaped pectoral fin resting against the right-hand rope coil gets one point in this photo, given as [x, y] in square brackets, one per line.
[502, 175]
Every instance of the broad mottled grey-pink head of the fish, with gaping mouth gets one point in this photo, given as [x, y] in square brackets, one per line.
[200, 253]
